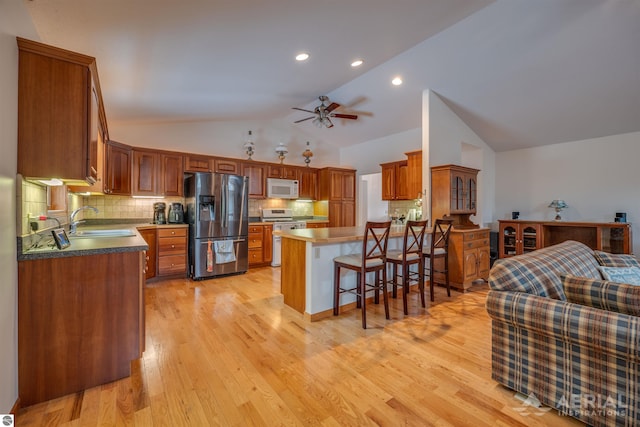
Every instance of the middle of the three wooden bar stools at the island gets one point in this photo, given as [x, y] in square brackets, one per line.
[410, 254]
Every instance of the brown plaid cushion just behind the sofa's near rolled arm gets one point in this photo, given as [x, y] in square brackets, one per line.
[602, 294]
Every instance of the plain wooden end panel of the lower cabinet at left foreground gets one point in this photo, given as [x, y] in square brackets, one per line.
[80, 322]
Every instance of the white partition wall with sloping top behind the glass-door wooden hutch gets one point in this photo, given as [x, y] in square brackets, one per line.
[448, 140]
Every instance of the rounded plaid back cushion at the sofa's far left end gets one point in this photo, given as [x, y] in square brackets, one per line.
[537, 272]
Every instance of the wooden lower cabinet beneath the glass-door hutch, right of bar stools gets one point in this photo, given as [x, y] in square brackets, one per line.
[469, 257]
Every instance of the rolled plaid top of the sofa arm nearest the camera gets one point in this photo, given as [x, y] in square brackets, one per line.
[604, 331]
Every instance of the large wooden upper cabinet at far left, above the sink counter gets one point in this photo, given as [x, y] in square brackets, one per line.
[60, 114]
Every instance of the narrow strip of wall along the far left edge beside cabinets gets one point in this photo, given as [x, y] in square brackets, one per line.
[14, 20]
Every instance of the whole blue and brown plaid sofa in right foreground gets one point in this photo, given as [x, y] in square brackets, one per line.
[566, 337]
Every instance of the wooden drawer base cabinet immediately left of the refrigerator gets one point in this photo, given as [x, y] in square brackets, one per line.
[172, 251]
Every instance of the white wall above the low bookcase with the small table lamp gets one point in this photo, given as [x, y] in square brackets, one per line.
[596, 177]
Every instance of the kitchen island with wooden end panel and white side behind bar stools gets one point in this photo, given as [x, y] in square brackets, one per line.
[307, 266]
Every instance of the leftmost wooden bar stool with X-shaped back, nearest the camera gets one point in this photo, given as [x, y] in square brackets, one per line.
[371, 259]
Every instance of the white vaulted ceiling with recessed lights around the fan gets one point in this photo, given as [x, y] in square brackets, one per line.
[520, 73]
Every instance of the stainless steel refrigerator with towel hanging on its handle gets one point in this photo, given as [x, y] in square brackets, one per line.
[217, 214]
